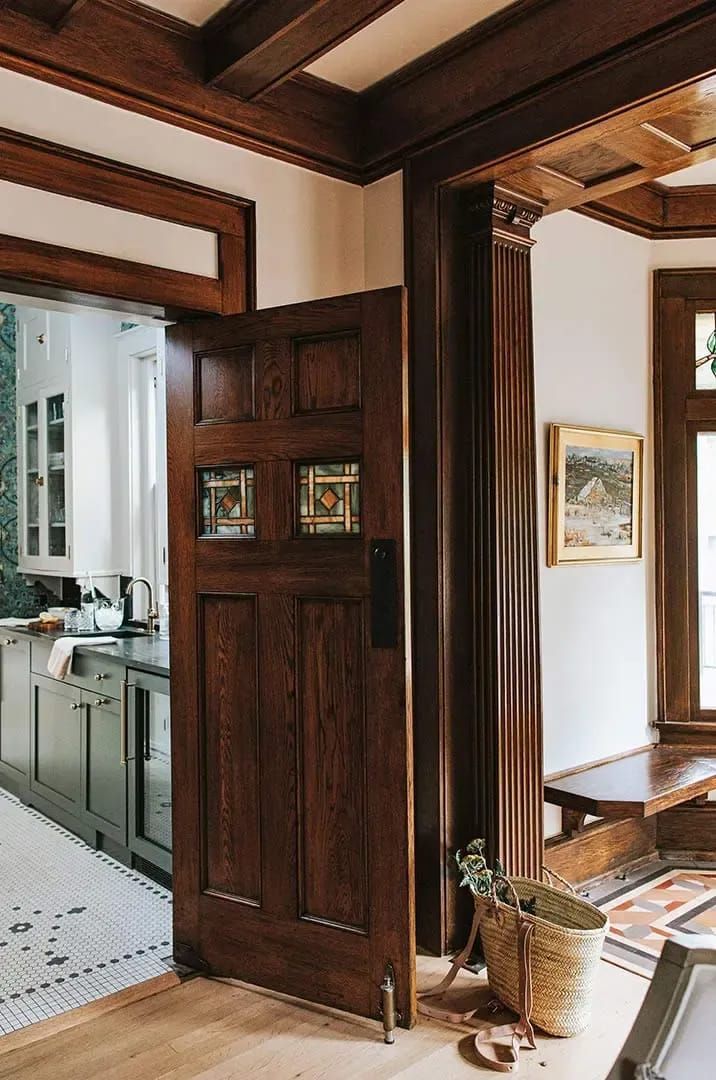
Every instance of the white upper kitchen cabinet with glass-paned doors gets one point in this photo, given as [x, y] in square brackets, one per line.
[69, 425]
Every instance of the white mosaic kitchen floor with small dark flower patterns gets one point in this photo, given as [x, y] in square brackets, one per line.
[75, 925]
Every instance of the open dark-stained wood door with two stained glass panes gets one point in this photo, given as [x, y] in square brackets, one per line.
[292, 741]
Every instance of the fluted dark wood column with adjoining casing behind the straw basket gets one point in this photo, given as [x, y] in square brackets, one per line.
[475, 544]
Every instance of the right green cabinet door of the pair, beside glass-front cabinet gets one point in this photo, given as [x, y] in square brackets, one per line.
[104, 768]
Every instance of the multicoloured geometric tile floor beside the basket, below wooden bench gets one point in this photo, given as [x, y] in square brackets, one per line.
[663, 902]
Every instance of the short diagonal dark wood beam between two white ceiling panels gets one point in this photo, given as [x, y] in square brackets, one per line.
[254, 46]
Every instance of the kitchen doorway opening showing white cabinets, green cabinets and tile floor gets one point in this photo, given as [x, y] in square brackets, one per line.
[86, 787]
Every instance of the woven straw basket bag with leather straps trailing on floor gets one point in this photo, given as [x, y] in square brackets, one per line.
[542, 966]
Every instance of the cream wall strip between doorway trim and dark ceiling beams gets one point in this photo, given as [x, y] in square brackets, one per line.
[310, 227]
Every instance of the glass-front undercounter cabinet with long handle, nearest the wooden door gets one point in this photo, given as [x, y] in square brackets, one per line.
[151, 768]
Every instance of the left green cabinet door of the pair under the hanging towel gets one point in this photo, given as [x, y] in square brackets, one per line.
[57, 744]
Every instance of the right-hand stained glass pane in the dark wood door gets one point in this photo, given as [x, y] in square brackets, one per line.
[329, 498]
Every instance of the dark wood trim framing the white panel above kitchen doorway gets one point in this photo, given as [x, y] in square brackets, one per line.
[65, 274]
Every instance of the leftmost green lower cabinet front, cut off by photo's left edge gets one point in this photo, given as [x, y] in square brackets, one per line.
[15, 712]
